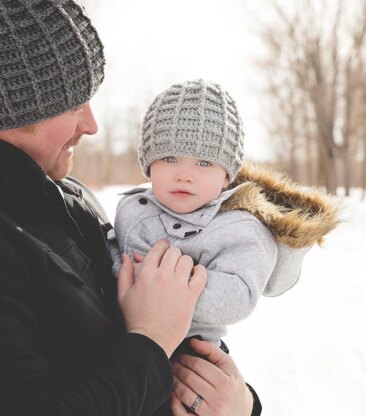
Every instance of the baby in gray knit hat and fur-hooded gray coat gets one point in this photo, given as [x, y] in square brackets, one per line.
[249, 228]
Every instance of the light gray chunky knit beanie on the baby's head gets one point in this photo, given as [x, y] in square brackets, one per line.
[196, 118]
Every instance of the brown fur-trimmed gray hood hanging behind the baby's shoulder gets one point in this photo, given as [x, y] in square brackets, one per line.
[297, 216]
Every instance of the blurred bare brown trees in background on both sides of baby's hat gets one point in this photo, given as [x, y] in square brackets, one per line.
[313, 97]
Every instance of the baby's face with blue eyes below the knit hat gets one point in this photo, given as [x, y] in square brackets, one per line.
[184, 184]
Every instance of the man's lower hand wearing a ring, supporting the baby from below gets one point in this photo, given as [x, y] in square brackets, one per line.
[218, 382]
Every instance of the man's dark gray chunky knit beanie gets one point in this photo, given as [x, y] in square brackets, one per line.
[51, 60]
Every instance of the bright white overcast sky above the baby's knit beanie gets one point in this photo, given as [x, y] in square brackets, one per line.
[150, 44]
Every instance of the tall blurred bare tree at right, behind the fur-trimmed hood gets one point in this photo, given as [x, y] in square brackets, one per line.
[313, 59]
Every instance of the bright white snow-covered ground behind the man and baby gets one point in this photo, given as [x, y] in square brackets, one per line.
[305, 351]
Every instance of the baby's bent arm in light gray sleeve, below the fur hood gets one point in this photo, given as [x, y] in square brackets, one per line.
[239, 257]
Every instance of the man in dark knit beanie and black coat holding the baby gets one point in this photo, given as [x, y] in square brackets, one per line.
[64, 347]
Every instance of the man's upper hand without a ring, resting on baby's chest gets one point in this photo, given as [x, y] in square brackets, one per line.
[160, 303]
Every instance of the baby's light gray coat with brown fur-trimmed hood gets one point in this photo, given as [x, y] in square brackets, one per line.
[252, 241]
